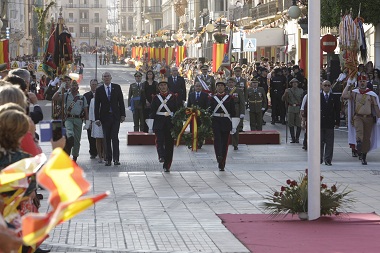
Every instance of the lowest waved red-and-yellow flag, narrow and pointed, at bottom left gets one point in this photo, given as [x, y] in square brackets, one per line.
[36, 227]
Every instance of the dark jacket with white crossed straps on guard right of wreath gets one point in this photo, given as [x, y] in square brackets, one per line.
[222, 123]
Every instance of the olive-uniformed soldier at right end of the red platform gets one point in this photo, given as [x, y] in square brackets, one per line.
[257, 103]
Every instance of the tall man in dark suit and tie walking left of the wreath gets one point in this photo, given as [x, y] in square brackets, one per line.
[109, 113]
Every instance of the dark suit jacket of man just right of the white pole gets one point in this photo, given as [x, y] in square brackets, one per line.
[330, 111]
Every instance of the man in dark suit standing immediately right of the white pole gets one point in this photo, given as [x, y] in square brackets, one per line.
[330, 118]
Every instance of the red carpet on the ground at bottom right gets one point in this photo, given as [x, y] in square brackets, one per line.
[260, 233]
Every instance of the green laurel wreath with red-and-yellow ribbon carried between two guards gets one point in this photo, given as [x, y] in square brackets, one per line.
[204, 129]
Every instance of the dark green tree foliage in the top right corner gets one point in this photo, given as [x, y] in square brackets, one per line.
[331, 11]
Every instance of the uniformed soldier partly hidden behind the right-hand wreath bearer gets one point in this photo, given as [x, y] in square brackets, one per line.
[239, 100]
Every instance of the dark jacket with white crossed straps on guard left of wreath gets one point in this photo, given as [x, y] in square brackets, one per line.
[161, 121]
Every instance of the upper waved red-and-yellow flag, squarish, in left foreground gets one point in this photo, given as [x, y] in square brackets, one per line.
[63, 178]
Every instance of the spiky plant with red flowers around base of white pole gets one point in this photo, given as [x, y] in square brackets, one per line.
[292, 198]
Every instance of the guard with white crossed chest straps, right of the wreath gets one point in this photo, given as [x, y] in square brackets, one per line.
[222, 107]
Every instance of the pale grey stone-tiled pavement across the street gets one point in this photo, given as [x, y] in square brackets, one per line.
[152, 211]
